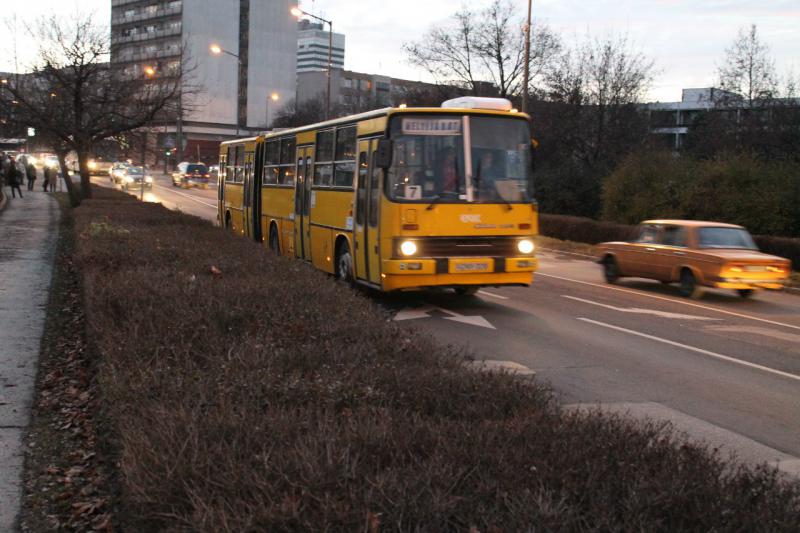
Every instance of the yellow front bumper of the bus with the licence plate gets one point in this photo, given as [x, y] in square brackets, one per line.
[460, 271]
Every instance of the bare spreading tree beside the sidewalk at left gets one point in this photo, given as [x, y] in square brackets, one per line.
[78, 99]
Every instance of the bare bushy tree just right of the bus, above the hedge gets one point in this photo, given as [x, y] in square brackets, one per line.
[588, 121]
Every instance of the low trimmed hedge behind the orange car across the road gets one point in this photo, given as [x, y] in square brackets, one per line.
[579, 229]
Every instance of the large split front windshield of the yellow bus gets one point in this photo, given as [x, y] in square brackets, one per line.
[431, 161]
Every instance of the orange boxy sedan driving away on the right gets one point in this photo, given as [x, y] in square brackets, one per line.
[695, 254]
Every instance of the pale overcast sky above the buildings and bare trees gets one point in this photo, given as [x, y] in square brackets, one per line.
[686, 38]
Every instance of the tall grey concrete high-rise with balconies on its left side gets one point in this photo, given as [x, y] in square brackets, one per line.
[228, 95]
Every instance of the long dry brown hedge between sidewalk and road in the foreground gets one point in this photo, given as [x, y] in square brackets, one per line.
[270, 398]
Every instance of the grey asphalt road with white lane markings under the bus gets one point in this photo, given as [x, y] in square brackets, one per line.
[721, 369]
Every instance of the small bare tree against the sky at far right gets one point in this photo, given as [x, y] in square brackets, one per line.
[748, 69]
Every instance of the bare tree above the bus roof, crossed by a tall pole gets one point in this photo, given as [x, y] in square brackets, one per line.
[485, 46]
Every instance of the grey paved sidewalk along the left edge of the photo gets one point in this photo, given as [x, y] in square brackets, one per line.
[28, 233]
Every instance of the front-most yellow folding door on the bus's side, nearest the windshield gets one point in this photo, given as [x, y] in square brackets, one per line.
[368, 195]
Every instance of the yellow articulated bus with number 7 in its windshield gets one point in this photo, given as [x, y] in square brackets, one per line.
[397, 198]
